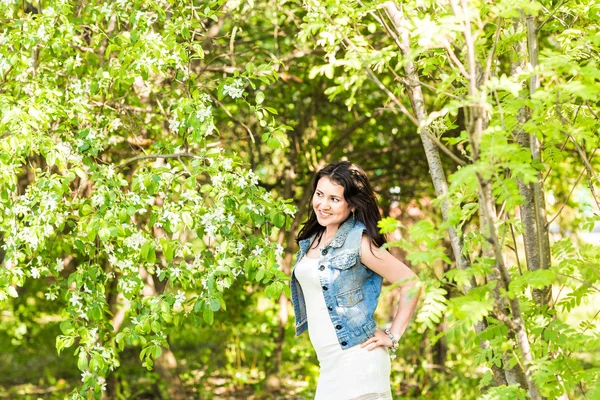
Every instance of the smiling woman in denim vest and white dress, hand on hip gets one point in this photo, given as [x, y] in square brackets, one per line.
[336, 283]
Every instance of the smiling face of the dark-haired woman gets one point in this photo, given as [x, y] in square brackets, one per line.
[329, 204]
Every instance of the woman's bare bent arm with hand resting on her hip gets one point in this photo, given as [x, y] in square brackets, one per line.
[393, 270]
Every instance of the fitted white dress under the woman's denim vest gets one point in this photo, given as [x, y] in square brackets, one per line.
[351, 374]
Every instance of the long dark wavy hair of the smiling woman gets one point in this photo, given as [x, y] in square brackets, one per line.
[359, 195]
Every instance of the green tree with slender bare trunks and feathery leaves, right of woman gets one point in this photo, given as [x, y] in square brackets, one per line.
[463, 69]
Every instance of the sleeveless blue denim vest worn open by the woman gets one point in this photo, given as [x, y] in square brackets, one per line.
[351, 290]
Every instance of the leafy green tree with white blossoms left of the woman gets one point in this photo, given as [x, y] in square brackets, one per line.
[114, 190]
